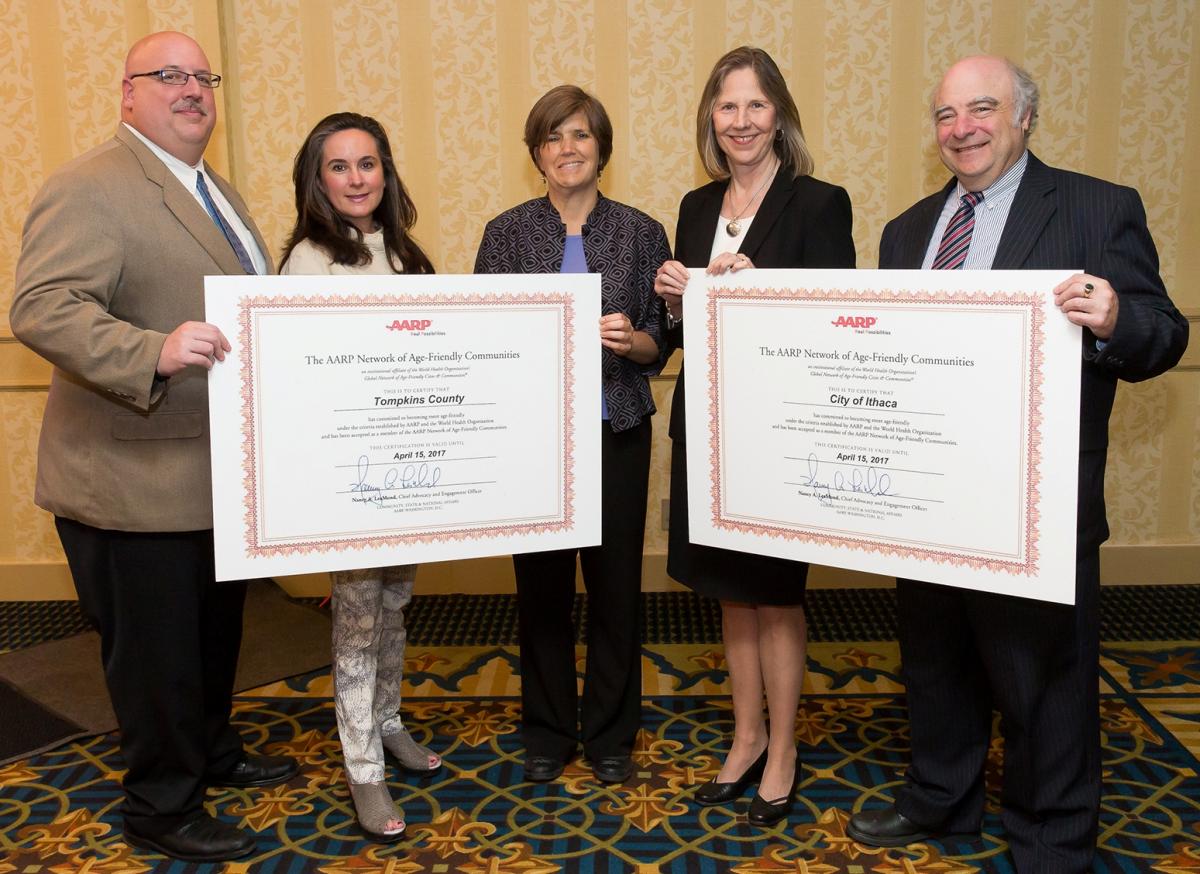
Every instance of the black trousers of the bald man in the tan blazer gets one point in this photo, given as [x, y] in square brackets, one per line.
[170, 642]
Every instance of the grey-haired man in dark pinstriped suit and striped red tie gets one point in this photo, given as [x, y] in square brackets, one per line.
[965, 652]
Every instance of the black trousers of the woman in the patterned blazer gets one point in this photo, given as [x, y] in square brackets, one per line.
[613, 573]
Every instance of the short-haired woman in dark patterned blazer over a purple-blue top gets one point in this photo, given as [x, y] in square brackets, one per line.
[575, 229]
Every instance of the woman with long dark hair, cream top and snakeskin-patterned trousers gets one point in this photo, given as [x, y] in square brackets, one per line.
[353, 215]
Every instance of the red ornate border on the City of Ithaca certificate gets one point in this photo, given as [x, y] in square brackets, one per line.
[1033, 304]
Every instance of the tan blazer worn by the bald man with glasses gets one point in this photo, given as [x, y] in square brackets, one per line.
[113, 259]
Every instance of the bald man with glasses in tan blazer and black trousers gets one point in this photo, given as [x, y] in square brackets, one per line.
[110, 290]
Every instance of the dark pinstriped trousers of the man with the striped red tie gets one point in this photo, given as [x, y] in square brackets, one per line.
[964, 654]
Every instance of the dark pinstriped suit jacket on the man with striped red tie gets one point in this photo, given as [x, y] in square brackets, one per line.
[1063, 220]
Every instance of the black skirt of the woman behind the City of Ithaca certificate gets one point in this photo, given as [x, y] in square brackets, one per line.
[725, 574]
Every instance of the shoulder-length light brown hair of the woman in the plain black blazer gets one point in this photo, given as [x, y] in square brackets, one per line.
[790, 147]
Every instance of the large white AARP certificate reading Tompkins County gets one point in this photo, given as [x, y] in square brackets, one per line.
[371, 421]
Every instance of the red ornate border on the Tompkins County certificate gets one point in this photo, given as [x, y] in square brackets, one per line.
[254, 307]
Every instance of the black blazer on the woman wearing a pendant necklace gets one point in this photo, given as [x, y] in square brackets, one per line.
[801, 223]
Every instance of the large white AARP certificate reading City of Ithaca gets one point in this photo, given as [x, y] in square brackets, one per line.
[909, 423]
